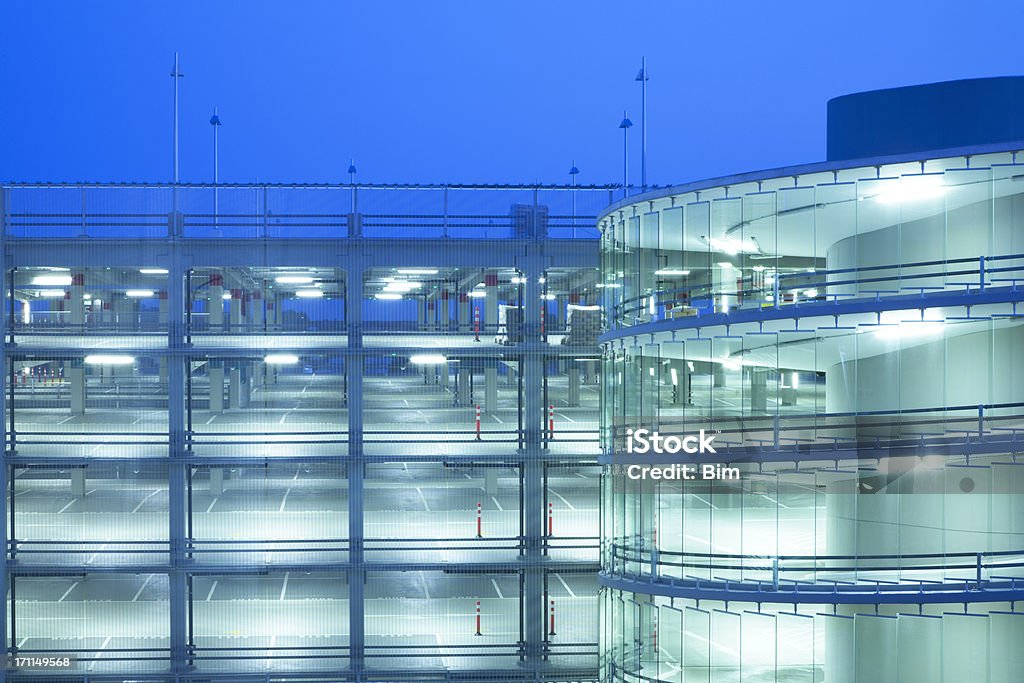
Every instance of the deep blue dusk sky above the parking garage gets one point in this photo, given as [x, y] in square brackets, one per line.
[460, 92]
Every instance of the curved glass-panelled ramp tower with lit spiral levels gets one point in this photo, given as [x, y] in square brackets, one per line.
[852, 338]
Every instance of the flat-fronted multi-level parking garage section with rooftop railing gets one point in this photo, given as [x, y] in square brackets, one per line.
[301, 434]
